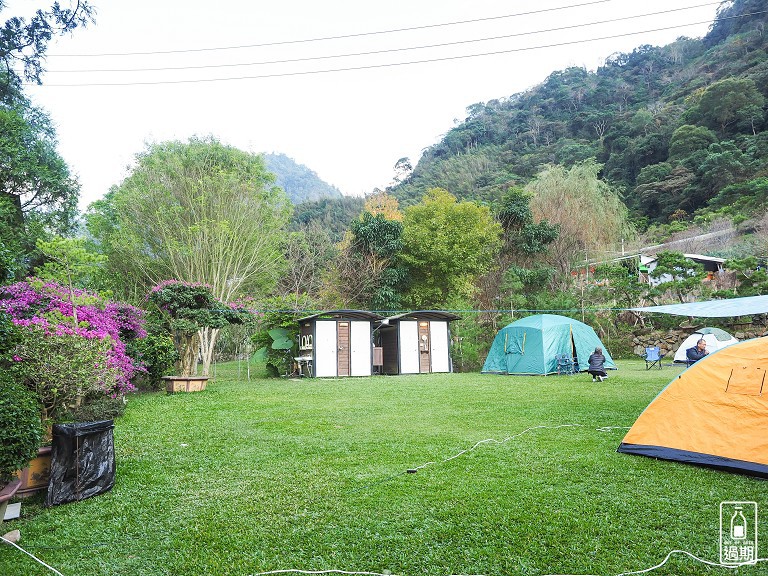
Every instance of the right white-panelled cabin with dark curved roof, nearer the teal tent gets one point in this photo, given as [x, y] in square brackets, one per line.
[416, 342]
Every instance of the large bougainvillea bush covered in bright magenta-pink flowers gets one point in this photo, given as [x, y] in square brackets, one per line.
[71, 343]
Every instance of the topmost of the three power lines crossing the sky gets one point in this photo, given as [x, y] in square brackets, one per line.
[340, 37]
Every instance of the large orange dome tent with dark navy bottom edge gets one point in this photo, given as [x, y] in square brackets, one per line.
[714, 414]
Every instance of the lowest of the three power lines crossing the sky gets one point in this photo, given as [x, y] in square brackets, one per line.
[389, 65]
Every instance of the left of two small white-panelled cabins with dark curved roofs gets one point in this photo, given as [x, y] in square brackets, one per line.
[337, 343]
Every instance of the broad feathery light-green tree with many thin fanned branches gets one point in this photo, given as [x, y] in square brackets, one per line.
[198, 211]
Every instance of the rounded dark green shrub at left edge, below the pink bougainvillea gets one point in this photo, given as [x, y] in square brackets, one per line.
[20, 433]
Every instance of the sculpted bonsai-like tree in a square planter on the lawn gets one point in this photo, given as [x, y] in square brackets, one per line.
[186, 308]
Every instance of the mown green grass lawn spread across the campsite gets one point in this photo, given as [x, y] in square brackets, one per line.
[248, 477]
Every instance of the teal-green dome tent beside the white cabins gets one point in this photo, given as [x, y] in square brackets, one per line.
[530, 345]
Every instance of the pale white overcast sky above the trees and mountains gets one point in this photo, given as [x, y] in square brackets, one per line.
[256, 74]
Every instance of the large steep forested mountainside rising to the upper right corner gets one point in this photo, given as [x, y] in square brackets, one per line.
[677, 128]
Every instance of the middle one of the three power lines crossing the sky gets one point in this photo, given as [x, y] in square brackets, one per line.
[385, 51]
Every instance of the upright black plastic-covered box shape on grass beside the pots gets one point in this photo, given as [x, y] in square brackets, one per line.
[82, 461]
